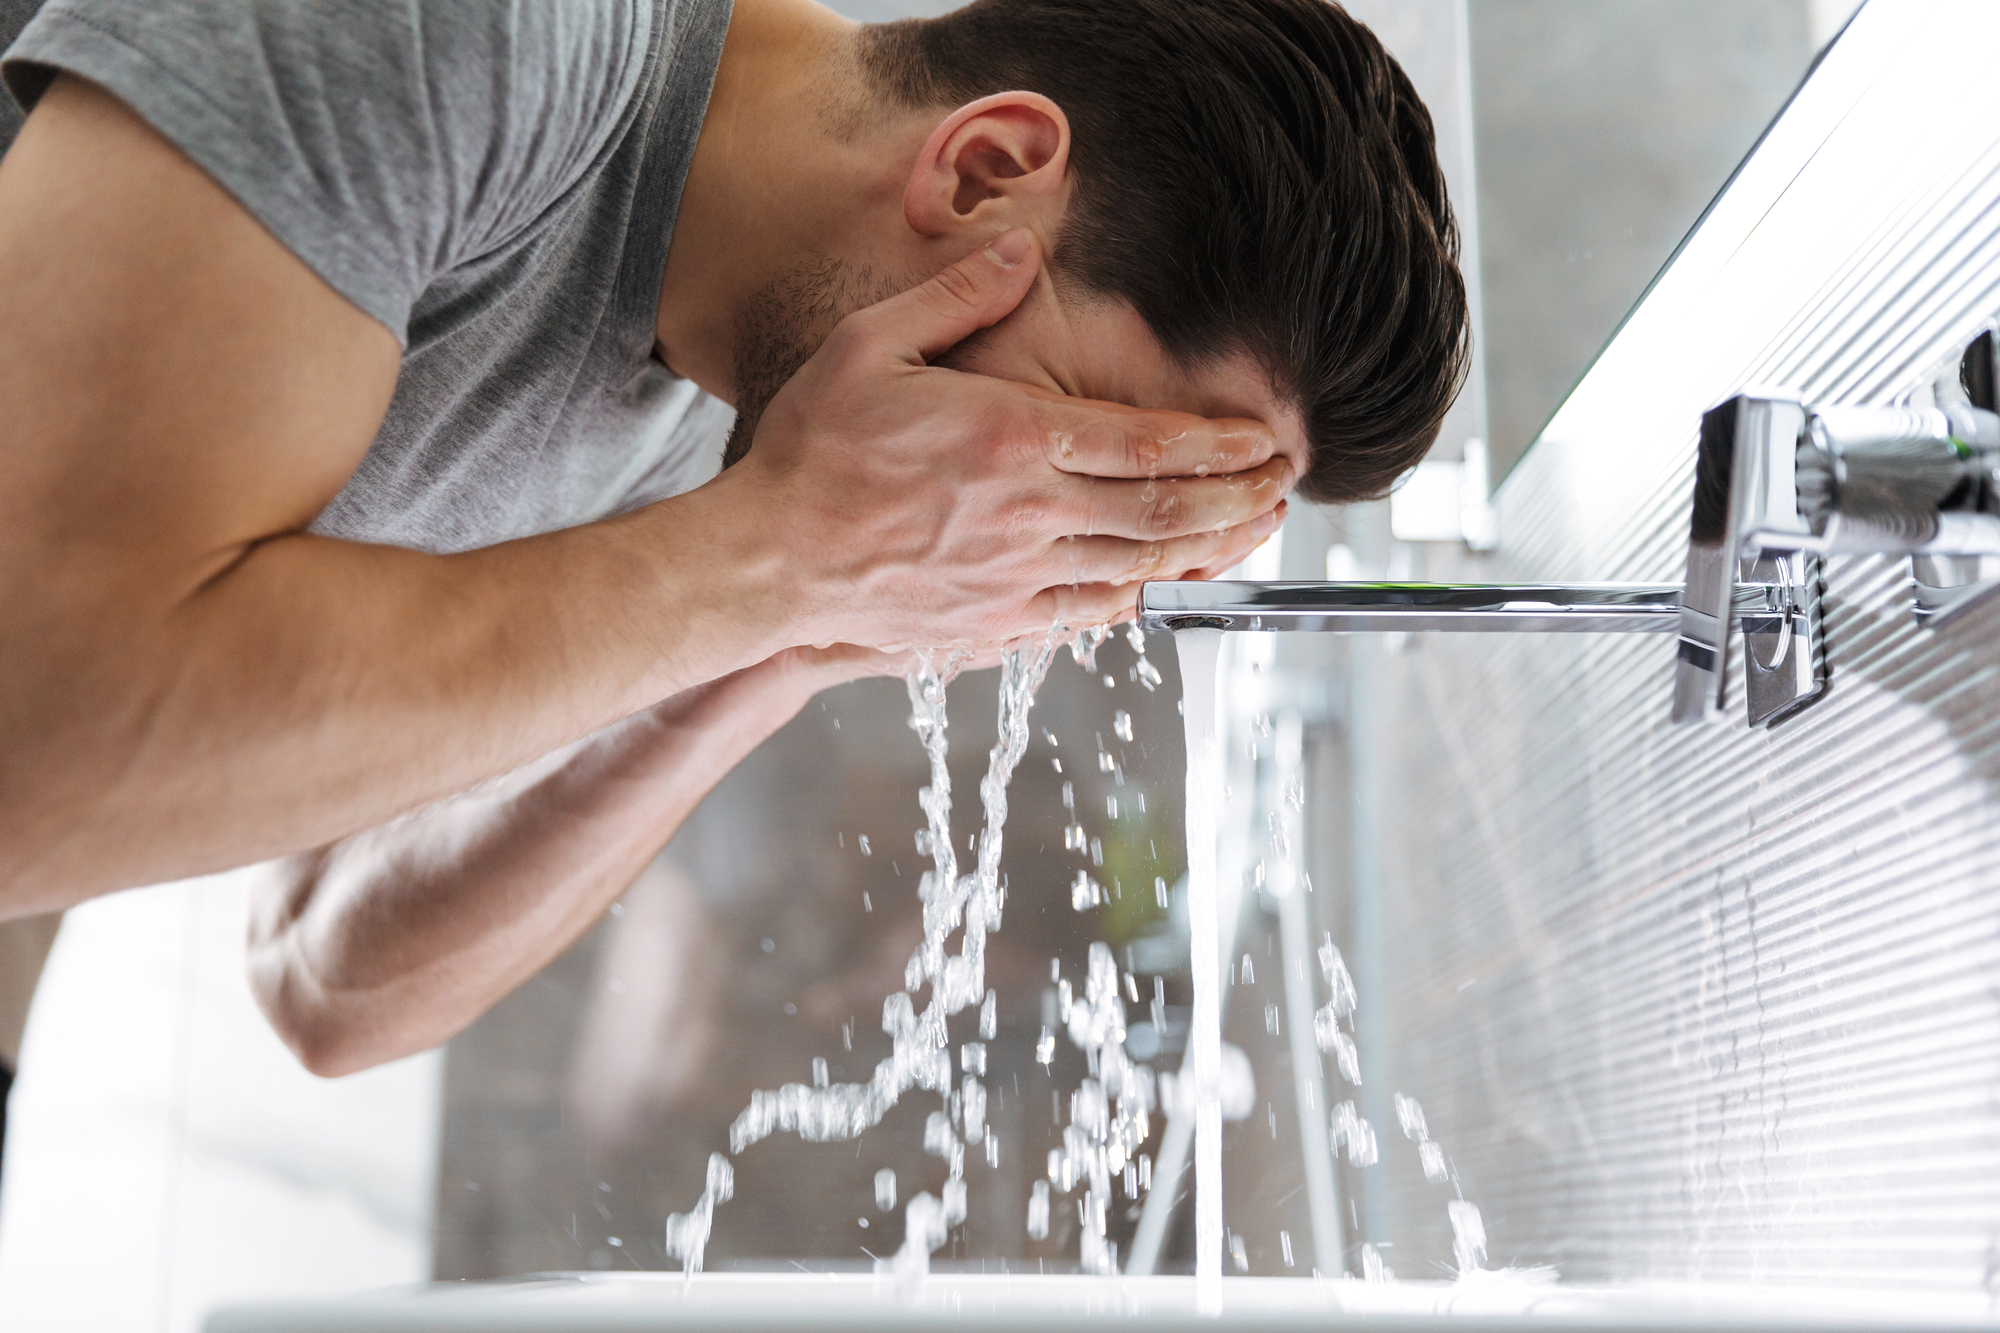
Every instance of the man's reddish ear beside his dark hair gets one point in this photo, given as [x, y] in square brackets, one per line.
[1003, 159]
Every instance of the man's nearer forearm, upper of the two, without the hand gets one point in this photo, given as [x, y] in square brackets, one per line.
[317, 688]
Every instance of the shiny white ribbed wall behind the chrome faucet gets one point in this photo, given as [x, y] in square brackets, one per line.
[1719, 1004]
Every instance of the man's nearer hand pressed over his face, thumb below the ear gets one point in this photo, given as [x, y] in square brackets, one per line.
[921, 505]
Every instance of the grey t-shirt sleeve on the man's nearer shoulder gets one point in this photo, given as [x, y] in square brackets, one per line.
[381, 141]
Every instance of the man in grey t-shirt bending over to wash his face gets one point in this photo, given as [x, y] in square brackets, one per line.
[349, 463]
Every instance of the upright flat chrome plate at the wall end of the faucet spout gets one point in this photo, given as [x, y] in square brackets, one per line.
[1745, 503]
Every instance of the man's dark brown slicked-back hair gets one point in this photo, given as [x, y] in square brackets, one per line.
[1253, 177]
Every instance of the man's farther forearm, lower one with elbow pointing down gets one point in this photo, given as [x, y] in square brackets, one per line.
[395, 940]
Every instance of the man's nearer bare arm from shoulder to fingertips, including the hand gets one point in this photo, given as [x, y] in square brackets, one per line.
[195, 684]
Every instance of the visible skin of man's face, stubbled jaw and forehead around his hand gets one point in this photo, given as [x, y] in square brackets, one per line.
[1077, 345]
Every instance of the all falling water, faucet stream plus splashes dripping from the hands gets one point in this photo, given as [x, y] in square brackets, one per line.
[1111, 1110]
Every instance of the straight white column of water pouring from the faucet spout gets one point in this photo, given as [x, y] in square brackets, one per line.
[1199, 651]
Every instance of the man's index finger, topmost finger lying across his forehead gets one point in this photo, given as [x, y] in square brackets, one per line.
[1109, 439]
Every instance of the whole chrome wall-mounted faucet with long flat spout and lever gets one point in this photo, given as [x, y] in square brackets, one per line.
[1779, 485]
